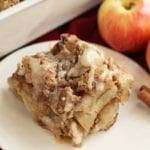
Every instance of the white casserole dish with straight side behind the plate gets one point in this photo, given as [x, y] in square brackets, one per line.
[30, 19]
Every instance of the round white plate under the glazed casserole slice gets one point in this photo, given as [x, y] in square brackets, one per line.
[19, 132]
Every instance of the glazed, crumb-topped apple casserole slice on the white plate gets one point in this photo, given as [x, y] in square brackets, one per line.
[73, 89]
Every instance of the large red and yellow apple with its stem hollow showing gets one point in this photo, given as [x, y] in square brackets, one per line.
[125, 24]
